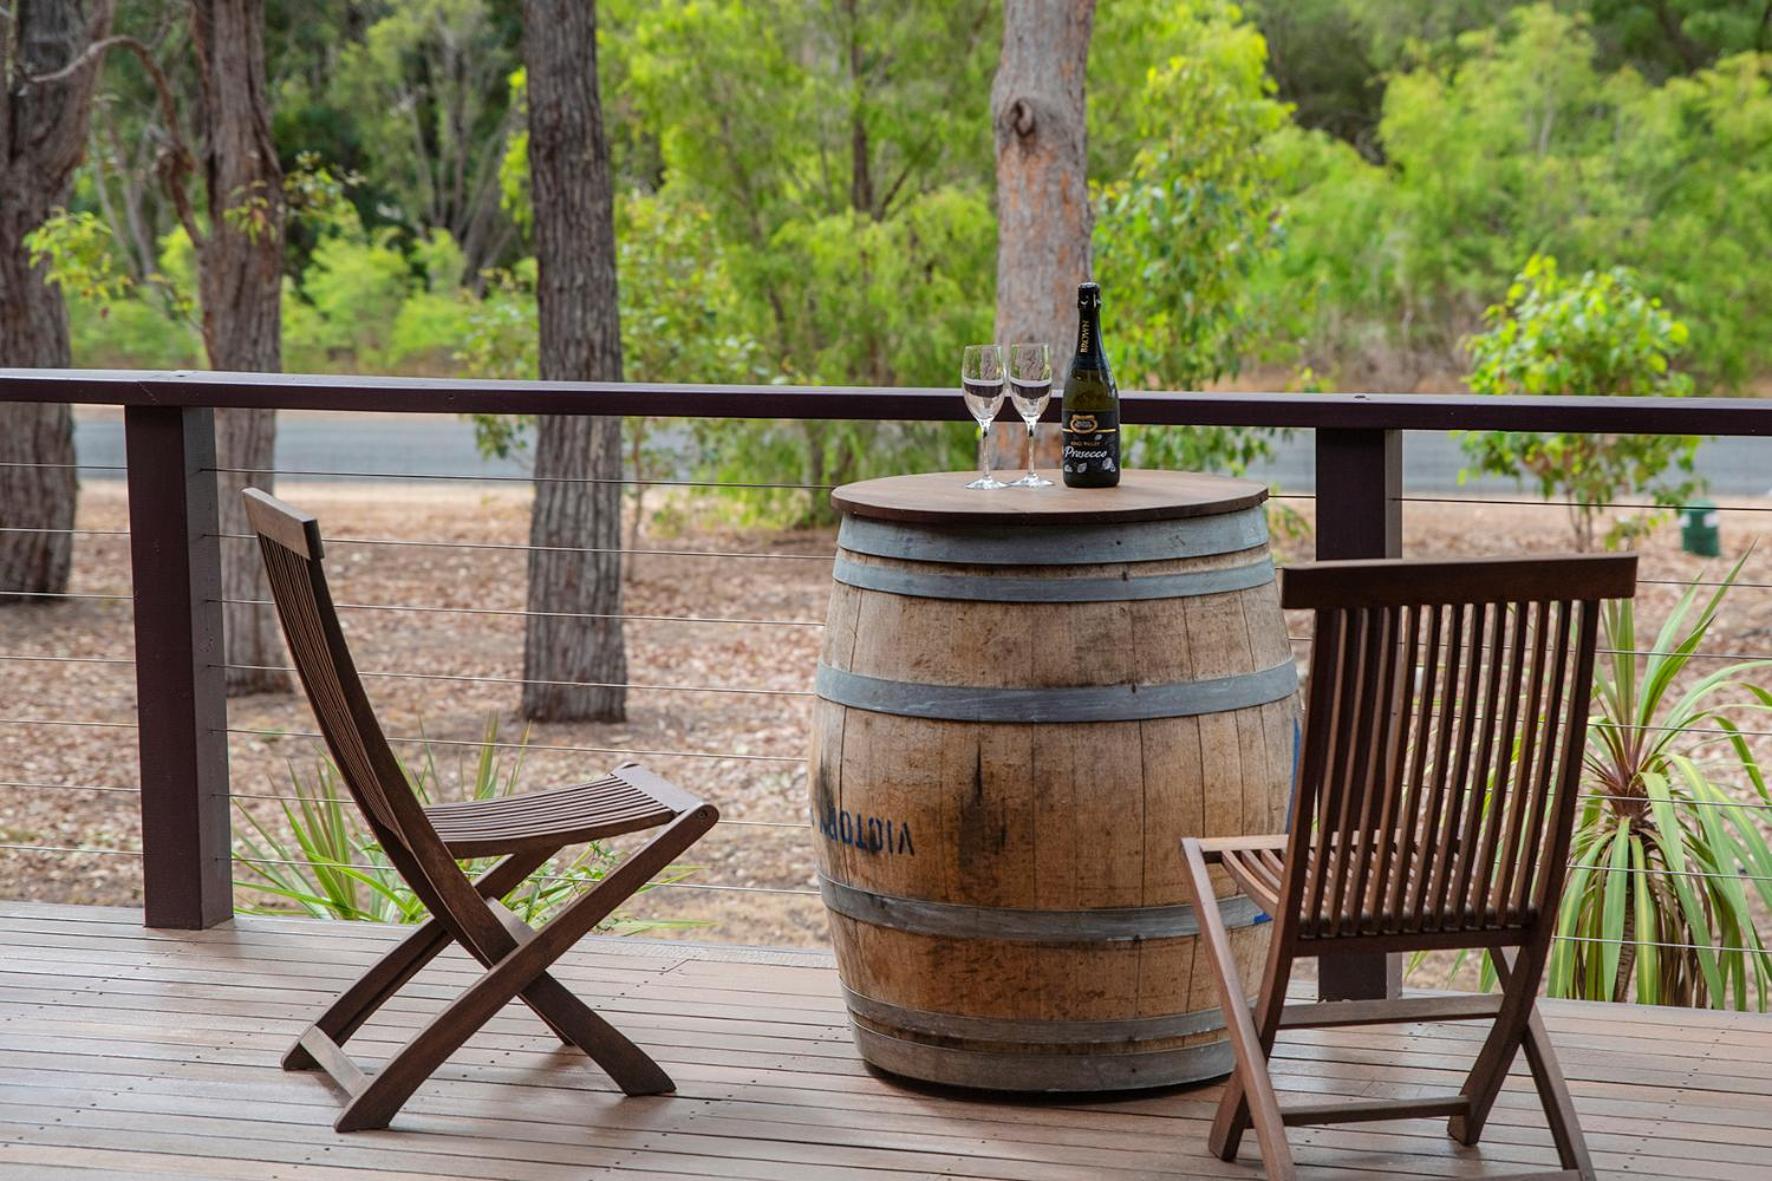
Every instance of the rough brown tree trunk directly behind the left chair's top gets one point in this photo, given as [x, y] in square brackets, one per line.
[240, 278]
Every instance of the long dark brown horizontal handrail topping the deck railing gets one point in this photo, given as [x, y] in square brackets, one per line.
[1365, 412]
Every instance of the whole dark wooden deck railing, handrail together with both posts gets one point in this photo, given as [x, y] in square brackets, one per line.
[176, 563]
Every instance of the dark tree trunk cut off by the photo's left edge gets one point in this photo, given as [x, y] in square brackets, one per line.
[43, 136]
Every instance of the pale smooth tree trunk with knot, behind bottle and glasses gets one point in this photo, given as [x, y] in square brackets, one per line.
[1043, 187]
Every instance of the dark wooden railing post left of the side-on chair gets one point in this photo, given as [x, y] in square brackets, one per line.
[182, 701]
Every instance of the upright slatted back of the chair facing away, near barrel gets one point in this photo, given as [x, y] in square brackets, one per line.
[1447, 721]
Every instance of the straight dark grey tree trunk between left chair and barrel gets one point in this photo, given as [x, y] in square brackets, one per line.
[573, 668]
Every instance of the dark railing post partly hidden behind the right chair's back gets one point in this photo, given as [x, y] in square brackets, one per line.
[1360, 485]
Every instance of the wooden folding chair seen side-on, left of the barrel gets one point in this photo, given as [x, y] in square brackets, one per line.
[424, 845]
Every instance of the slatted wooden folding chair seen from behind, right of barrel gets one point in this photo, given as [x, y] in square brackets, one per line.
[1445, 731]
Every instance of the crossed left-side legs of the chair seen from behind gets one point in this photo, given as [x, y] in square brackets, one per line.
[1250, 1088]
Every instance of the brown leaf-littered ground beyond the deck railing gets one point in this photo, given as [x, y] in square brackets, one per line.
[678, 669]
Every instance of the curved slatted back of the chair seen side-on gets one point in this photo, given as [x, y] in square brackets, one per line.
[291, 545]
